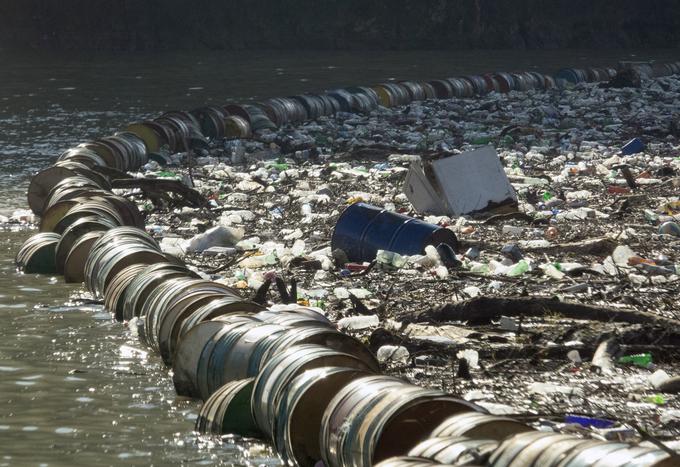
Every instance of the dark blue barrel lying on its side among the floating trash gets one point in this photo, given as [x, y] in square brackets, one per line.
[363, 229]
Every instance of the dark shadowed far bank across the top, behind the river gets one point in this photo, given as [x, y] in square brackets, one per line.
[134, 25]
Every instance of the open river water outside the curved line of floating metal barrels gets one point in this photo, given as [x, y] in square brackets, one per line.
[75, 387]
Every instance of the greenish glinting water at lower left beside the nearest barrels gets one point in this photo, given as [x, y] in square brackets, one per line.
[80, 391]
